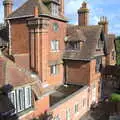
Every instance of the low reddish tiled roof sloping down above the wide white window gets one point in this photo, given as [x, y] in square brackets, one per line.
[17, 76]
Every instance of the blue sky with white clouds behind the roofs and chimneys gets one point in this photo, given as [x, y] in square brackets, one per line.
[98, 8]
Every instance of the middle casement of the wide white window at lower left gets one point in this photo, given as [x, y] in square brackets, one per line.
[20, 99]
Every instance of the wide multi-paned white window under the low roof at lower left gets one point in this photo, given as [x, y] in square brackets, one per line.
[21, 98]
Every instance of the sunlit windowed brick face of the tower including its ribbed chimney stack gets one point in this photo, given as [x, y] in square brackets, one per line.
[41, 53]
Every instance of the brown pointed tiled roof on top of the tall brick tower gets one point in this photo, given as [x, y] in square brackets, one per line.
[27, 10]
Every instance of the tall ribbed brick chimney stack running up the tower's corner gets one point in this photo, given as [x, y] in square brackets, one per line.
[38, 37]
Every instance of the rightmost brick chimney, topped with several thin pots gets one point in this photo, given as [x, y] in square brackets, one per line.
[104, 23]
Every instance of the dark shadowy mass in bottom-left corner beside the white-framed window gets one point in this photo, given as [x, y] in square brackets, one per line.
[7, 110]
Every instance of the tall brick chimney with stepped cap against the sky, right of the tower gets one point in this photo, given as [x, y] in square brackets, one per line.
[83, 15]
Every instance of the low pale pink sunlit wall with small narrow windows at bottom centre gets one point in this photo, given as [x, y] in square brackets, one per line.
[80, 97]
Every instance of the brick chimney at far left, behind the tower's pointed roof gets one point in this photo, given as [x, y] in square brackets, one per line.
[7, 7]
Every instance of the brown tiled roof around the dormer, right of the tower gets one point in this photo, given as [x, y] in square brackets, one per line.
[88, 50]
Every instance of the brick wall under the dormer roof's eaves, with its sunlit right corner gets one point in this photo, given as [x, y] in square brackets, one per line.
[84, 73]
